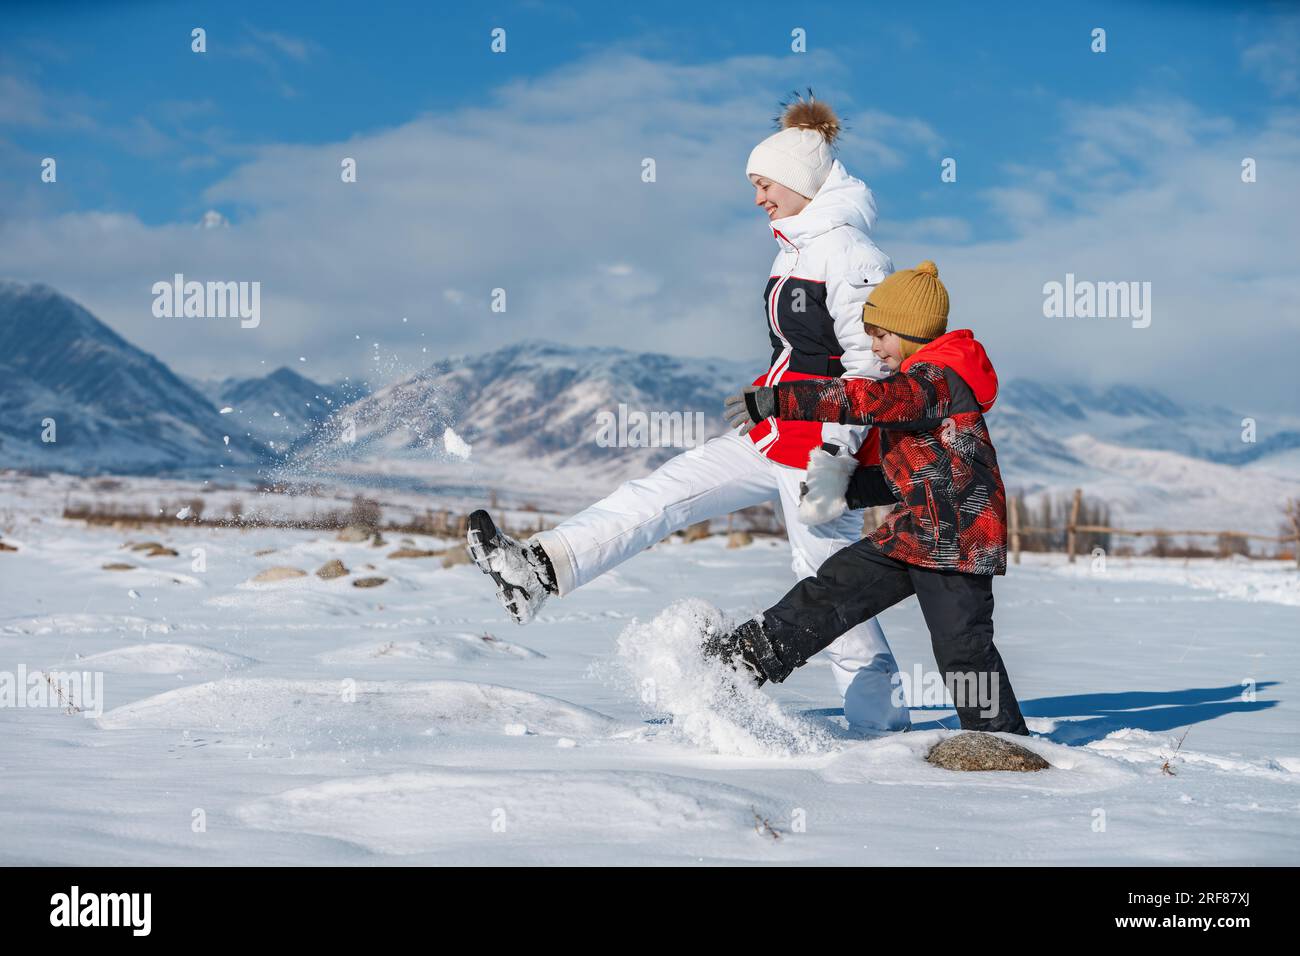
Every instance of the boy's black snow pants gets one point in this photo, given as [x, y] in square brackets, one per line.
[859, 582]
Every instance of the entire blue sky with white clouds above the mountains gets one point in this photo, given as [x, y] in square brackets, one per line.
[1052, 141]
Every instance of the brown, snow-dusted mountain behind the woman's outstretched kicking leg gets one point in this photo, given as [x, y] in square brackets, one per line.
[534, 408]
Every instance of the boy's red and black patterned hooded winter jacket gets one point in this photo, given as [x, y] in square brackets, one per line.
[935, 452]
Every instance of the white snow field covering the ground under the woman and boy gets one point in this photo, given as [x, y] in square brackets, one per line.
[310, 721]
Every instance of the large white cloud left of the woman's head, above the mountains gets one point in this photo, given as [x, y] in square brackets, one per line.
[538, 191]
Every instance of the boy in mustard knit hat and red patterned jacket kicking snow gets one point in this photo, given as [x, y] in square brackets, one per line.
[946, 538]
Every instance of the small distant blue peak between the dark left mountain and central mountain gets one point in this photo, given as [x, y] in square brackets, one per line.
[279, 408]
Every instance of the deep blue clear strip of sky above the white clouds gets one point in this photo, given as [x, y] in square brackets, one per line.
[315, 72]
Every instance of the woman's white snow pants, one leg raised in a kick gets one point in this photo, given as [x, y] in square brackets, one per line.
[725, 475]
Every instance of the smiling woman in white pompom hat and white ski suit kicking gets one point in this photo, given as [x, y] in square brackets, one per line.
[826, 266]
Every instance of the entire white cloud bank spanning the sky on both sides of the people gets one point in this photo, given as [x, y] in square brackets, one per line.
[539, 191]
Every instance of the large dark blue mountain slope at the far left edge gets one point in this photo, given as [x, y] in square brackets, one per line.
[112, 406]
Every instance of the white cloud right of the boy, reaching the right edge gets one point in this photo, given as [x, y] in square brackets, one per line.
[1220, 254]
